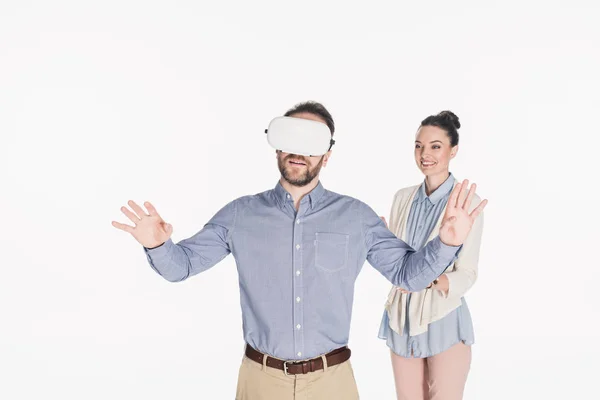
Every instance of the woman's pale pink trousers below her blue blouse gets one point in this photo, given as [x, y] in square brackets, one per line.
[441, 377]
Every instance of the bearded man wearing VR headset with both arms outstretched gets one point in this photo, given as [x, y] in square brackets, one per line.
[299, 249]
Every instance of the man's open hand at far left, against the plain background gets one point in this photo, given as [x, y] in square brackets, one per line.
[150, 230]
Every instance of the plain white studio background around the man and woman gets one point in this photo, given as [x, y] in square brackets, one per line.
[102, 102]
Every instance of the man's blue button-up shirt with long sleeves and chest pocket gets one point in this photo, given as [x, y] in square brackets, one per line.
[297, 269]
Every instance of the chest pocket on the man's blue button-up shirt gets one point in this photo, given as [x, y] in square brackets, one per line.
[331, 251]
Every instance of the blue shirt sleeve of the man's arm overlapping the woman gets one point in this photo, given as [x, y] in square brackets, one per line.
[397, 261]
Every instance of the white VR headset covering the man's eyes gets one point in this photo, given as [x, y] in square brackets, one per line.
[300, 136]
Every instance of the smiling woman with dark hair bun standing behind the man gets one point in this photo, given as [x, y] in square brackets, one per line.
[430, 333]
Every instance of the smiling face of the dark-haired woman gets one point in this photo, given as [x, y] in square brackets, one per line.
[433, 151]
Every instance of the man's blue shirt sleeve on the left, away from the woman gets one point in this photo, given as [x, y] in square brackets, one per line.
[177, 262]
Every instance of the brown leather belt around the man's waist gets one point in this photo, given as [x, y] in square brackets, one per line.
[335, 357]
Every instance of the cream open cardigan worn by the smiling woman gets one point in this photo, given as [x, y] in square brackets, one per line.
[431, 305]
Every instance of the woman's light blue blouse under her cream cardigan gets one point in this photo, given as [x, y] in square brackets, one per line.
[454, 327]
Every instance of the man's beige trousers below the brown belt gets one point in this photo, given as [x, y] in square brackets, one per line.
[258, 382]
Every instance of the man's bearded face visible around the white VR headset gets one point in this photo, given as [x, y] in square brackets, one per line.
[301, 170]
